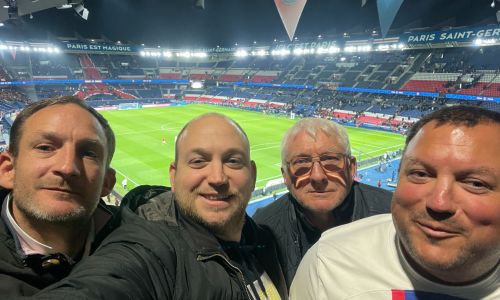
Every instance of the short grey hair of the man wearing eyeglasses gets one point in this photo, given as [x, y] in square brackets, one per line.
[312, 126]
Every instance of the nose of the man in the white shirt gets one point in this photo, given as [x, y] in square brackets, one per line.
[440, 200]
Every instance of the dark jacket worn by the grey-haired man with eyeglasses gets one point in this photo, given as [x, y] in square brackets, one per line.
[295, 235]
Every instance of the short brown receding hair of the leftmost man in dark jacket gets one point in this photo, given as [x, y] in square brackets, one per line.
[16, 130]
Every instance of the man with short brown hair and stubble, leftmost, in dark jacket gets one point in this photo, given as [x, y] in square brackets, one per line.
[53, 174]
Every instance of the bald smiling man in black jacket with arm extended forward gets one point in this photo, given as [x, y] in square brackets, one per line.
[196, 241]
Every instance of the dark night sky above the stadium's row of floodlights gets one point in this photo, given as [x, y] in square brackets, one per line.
[177, 23]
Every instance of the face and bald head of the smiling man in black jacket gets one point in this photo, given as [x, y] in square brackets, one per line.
[214, 178]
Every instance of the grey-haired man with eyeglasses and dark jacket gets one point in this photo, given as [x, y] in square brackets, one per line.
[318, 170]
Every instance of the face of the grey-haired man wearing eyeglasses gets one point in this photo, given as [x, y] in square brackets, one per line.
[320, 191]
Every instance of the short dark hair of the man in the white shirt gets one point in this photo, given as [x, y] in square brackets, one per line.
[468, 116]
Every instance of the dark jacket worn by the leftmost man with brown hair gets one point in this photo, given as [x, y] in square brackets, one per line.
[18, 277]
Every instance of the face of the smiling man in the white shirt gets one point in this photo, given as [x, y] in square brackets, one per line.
[446, 207]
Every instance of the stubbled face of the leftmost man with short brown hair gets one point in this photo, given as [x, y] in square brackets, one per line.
[60, 170]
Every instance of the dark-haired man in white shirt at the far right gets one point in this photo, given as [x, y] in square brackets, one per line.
[443, 239]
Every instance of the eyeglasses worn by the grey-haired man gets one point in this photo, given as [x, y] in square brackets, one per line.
[330, 162]
